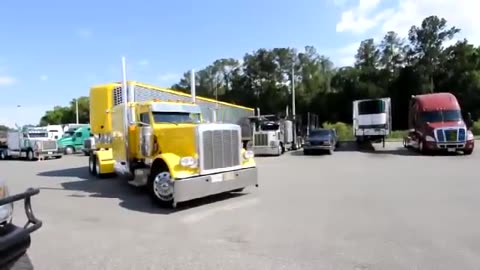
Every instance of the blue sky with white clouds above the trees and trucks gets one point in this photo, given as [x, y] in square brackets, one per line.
[54, 51]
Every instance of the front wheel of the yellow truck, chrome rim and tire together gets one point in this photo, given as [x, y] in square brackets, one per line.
[160, 187]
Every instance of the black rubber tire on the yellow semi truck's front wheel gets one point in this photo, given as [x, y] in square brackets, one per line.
[155, 193]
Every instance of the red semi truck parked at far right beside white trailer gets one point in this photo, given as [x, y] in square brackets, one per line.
[436, 124]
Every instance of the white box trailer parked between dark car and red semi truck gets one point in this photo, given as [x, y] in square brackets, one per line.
[372, 120]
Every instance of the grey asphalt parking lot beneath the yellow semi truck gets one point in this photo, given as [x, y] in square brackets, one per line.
[388, 209]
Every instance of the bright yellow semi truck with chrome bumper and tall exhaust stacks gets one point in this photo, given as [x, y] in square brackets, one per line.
[165, 145]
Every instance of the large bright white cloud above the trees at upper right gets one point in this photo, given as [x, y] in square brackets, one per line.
[367, 20]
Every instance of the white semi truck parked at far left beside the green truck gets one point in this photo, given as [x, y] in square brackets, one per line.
[31, 143]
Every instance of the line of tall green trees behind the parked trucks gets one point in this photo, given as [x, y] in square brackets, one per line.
[396, 66]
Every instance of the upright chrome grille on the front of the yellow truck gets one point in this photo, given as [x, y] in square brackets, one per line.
[221, 148]
